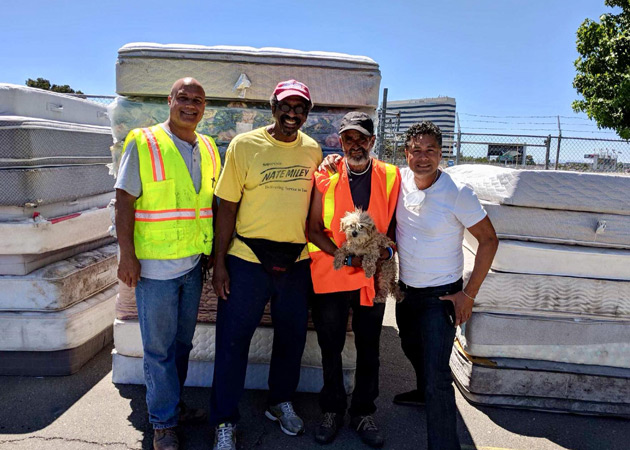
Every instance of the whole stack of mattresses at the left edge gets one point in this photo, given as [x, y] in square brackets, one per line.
[57, 261]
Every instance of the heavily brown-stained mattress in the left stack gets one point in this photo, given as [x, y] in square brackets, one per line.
[61, 284]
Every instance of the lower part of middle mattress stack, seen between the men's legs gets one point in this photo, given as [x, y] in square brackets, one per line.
[127, 359]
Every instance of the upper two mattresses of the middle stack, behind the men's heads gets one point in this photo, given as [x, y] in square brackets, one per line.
[238, 82]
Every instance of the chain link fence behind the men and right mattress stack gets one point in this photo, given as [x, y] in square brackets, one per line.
[513, 150]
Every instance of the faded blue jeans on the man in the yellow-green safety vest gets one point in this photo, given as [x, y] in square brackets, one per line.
[167, 312]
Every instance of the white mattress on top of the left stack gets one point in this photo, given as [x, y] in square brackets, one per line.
[18, 100]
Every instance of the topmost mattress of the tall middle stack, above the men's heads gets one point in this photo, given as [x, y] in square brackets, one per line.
[149, 69]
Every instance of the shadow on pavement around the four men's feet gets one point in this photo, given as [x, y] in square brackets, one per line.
[404, 427]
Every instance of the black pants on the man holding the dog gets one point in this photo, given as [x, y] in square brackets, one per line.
[330, 317]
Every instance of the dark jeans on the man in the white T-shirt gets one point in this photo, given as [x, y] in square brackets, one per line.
[427, 339]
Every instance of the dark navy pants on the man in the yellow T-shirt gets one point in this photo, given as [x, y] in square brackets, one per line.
[251, 287]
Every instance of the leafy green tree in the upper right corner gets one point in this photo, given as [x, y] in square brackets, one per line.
[603, 69]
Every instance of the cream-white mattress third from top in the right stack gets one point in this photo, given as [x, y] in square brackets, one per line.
[555, 259]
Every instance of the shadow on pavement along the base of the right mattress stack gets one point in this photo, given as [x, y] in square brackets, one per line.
[566, 430]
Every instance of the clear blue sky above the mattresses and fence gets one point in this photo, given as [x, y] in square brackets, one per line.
[496, 57]
